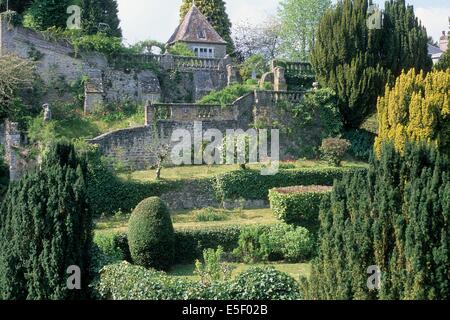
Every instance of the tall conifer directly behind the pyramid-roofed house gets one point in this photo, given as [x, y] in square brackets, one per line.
[215, 12]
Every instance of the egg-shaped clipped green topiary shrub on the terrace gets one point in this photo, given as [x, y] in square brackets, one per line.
[151, 236]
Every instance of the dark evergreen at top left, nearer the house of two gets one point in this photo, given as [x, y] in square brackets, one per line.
[101, 16]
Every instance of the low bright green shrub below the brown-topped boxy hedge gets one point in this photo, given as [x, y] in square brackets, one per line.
[274, 243]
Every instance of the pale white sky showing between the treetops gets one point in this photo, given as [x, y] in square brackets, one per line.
[157, 19]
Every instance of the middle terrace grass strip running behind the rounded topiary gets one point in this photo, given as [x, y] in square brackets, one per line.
[189, 219]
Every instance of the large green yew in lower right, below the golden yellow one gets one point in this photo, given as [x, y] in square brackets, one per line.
[396, 218]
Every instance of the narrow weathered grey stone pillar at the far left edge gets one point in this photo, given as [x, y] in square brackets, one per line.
[12, 139]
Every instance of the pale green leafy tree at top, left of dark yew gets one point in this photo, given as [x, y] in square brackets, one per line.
[299, 20]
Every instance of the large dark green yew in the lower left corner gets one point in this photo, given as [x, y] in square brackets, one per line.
[45, 227]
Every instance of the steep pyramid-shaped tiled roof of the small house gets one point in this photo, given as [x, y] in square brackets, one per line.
[196, 28]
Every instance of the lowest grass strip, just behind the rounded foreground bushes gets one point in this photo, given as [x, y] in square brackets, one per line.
[295, 270]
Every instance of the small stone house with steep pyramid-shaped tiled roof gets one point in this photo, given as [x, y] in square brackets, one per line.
[198, 34]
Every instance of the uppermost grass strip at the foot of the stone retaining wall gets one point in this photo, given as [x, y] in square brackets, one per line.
[205, 171]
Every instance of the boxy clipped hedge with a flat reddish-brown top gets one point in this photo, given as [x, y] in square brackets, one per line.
[298, 205]
